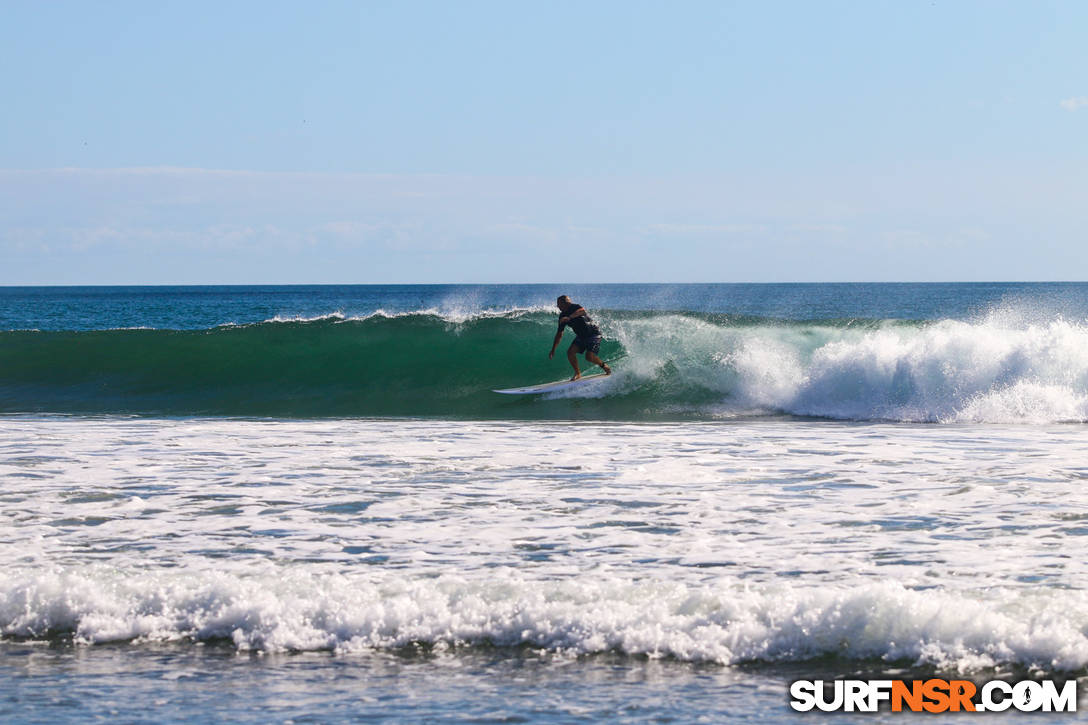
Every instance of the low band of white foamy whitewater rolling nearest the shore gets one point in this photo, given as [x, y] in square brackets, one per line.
[728, 624]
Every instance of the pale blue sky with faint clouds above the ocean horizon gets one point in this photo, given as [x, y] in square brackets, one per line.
[217, 143]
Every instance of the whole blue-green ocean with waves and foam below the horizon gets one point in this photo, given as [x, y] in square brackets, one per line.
[306, 503]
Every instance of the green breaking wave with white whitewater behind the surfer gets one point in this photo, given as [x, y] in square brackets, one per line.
[682, 365]
